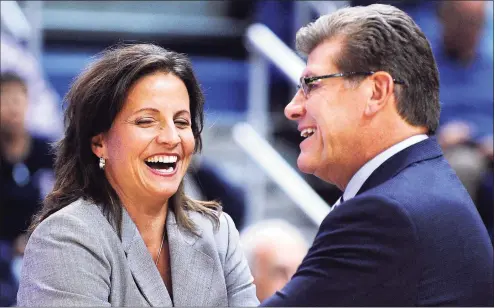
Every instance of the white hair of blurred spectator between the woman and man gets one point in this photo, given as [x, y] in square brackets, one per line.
[268, 231]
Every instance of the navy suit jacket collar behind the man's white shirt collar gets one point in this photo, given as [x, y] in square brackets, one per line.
[424, 150]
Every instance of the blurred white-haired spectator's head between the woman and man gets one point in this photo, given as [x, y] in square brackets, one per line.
[274, 250]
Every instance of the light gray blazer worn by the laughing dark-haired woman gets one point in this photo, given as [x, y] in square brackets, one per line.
[75, 258]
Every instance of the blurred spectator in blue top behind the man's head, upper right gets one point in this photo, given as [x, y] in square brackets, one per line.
[466, 89]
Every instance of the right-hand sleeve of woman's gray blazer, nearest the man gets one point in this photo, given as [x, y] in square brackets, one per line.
[240, 288]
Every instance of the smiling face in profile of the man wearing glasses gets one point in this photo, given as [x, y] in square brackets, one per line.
[333, 110]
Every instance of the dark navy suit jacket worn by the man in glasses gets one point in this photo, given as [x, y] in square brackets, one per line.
[411, 236]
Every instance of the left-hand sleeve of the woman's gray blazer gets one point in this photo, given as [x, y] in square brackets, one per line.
[64, 265]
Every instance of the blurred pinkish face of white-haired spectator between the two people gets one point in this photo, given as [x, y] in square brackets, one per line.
[276, 263]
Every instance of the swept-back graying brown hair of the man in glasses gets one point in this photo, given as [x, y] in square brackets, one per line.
[381, 37]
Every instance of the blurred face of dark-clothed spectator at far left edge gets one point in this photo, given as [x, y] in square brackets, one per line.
[13, 107]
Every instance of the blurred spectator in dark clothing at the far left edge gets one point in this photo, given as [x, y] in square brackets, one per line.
[25, 172]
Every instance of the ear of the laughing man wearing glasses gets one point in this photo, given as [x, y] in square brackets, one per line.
[382, 90]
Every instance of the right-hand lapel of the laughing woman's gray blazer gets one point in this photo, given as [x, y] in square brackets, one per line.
[192, 269]
